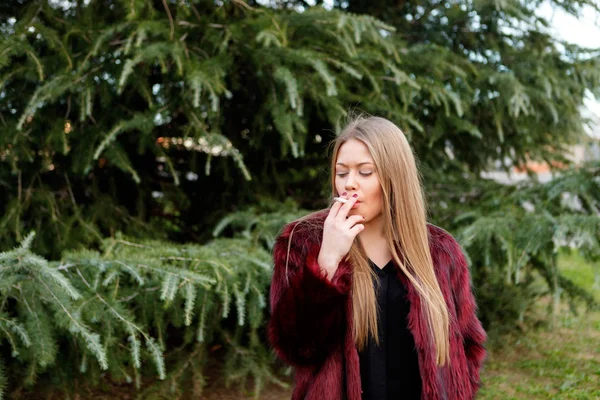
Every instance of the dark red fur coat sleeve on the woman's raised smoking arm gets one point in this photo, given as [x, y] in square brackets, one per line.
[307, 310]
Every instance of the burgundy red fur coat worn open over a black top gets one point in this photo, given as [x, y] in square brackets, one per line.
[311, 321]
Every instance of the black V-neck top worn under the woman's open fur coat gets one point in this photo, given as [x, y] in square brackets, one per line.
[390, 371]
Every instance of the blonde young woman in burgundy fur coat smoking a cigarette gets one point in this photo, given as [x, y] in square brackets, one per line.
[368, 300]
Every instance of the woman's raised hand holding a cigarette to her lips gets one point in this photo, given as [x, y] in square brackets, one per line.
[339, 231]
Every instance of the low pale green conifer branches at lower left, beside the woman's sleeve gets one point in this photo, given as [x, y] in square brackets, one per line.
[134, 304]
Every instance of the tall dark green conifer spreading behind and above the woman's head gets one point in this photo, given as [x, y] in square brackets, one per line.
[167, 97]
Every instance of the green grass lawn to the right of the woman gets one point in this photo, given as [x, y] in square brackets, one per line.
[560, 363]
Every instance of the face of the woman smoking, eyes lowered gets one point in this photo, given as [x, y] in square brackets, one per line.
[355, 174]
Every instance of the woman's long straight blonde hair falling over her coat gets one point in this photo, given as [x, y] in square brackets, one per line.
[405, 221]
